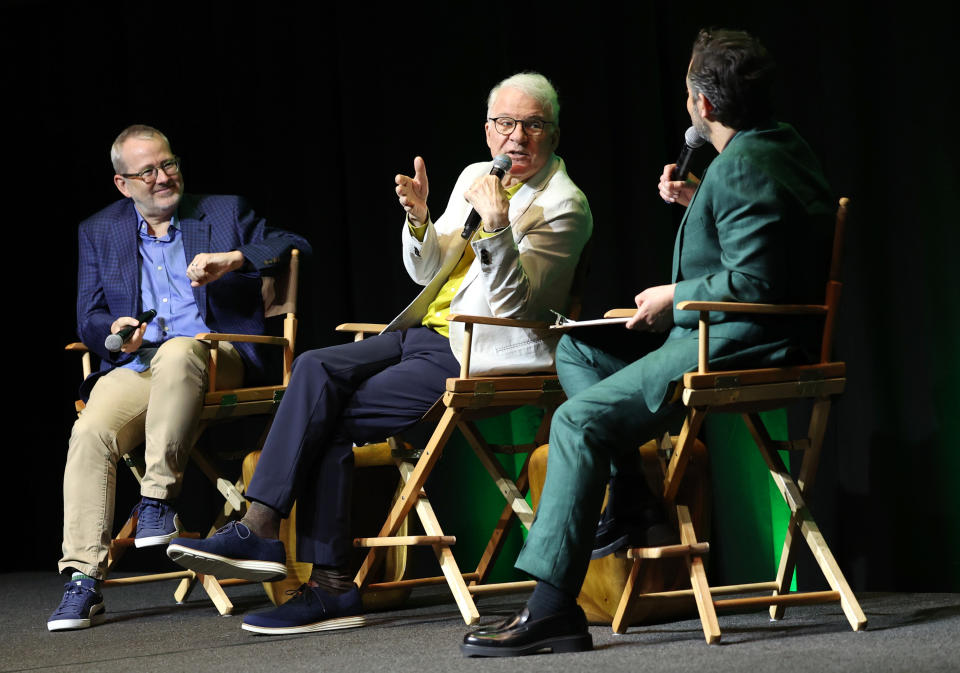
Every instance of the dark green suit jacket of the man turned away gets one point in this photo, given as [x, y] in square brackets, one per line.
[758, 229]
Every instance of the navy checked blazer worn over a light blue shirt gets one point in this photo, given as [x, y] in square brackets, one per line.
[108, 276]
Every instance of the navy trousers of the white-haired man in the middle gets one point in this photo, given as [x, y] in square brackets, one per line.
[353, 393]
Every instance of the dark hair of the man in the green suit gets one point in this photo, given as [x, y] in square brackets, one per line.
[735, 73]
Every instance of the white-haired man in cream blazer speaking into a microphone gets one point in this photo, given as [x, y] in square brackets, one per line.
[520, 264]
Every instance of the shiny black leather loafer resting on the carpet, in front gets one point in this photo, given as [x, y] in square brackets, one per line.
[518, 635]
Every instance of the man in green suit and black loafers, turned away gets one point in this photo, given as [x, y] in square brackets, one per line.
[756, 229]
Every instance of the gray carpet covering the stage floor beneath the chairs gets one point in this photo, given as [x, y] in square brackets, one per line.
[146, 631]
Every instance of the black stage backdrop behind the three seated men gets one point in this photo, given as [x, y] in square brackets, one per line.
[309, 110]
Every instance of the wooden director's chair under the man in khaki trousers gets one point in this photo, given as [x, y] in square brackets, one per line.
[280, 296]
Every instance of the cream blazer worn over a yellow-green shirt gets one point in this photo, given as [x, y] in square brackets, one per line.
[523, 272]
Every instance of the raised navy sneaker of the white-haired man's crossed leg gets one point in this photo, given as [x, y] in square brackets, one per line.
[233, 551]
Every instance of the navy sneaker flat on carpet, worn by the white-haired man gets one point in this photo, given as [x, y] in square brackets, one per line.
[309, 610]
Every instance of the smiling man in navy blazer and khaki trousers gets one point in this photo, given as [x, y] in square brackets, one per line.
[196, 260]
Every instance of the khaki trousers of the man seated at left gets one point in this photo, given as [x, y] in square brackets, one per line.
[159, 407]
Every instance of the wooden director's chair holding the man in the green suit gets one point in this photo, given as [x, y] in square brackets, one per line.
[748, 392]
